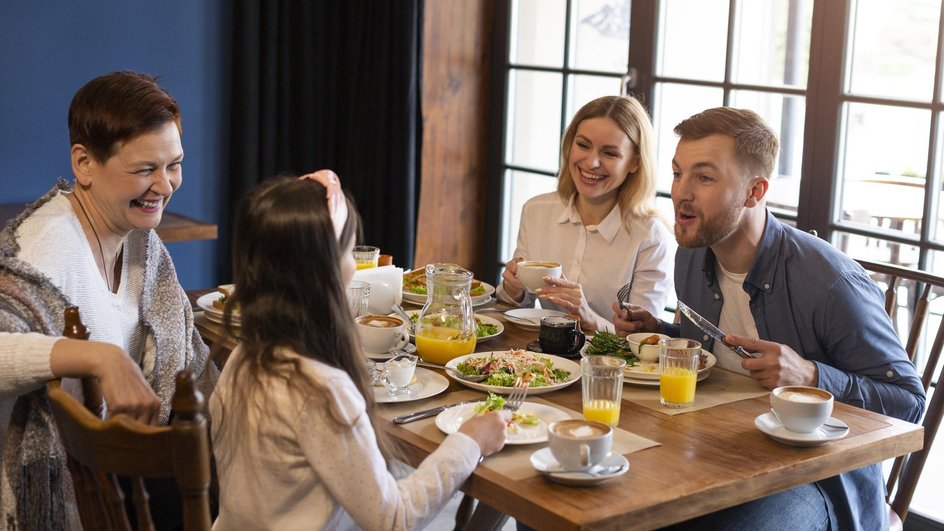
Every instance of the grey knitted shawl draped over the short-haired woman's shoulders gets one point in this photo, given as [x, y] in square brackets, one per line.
[33, 461]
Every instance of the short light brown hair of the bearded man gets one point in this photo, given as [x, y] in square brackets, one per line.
[755, 144]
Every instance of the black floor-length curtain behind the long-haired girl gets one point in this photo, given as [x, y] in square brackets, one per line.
[332, 84]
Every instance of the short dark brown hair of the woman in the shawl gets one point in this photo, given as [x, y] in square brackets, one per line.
[117, 107]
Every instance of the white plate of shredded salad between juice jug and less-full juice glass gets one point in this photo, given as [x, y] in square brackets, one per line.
[496, 371]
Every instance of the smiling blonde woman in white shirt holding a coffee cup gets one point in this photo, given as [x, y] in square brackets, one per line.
[600, 224]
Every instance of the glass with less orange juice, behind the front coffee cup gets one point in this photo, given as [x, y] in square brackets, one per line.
[602, 382]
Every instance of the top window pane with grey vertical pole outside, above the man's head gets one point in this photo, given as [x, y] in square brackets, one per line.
[773, 42]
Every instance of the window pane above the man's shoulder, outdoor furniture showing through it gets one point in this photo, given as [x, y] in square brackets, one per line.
[883, 166]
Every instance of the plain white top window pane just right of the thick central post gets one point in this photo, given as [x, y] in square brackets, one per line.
[693, 39]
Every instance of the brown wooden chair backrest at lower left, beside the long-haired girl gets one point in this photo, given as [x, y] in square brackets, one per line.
[101, 450]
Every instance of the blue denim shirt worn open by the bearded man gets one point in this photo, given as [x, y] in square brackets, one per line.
[808, 295]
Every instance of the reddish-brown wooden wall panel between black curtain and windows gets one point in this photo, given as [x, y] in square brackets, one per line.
[456, 54]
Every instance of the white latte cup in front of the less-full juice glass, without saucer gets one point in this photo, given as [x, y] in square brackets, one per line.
[579, 444]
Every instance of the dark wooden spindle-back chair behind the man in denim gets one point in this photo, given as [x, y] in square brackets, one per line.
[906, 470]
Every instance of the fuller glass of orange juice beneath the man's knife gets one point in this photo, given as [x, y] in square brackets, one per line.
[678, 371]
